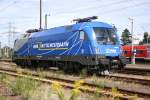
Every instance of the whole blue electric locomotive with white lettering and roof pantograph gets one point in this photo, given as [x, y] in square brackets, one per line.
[86, 44]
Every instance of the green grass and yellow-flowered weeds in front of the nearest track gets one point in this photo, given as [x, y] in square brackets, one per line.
[30, 89]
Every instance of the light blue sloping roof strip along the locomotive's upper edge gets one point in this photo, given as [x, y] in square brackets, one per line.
[69, 28]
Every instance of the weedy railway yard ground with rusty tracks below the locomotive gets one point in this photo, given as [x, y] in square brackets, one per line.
[56, 85]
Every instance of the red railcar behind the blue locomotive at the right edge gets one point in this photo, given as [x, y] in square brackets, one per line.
[142, 51]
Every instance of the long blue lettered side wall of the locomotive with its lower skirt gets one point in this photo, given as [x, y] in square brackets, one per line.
[69, 46]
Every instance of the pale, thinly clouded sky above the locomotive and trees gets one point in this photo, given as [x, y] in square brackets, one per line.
[22, 15]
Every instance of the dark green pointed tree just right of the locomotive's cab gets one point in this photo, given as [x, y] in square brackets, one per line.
[126, 37]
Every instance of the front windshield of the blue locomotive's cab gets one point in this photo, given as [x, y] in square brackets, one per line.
[105, 35]
